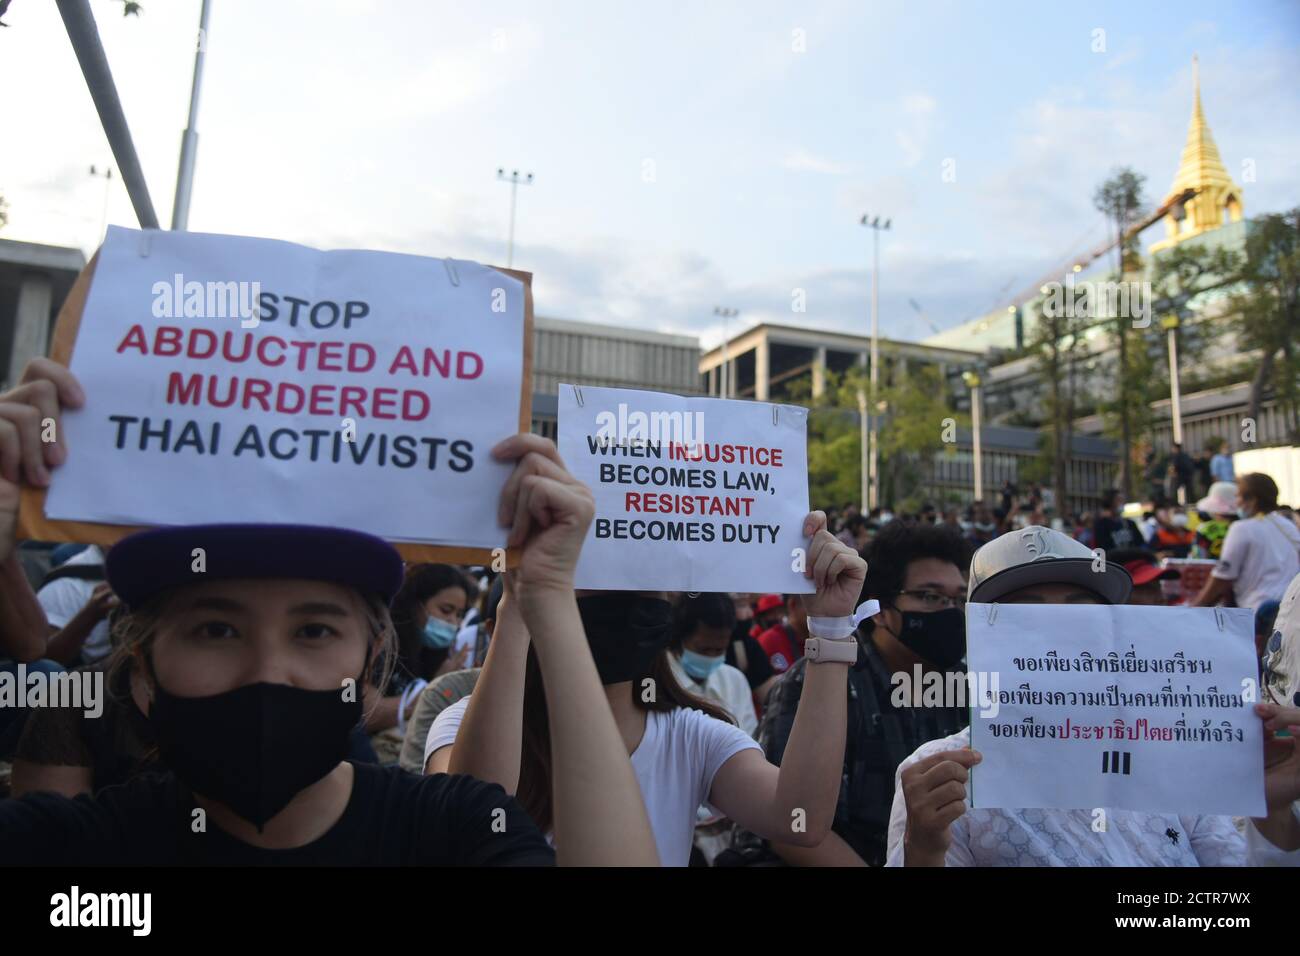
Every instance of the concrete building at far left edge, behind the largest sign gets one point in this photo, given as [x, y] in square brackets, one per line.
[34, 282]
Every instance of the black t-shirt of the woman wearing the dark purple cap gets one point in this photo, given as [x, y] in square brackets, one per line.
[393, 819]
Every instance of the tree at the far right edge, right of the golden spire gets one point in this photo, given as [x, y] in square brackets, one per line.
[1269, 313]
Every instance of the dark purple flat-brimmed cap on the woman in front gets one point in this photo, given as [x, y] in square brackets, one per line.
[150, 563]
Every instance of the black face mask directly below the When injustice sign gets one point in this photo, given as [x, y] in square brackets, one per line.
[625, 633]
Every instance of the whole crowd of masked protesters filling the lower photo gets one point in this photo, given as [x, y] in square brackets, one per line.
[509, 719]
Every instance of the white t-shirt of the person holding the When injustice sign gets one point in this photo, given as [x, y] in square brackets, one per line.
[675, 764]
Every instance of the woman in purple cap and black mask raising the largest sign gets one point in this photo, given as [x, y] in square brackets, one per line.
[250, 674]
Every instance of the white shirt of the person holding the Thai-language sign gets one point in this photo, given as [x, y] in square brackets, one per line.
[1067, 838]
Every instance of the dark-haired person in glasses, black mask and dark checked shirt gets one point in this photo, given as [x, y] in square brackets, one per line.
[918, 576]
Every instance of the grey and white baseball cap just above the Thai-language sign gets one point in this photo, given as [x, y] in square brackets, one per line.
[1042, 556]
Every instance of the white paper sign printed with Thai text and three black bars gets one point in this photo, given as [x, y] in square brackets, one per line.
[1134, 708]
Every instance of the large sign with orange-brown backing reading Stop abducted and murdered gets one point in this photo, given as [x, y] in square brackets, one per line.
[233, 379]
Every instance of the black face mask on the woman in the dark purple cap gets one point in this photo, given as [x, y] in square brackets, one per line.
[254, 749]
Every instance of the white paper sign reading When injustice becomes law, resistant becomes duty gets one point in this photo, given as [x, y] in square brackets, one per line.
[691, 494]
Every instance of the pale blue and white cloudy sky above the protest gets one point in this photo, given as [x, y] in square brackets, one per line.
[382, 123]
